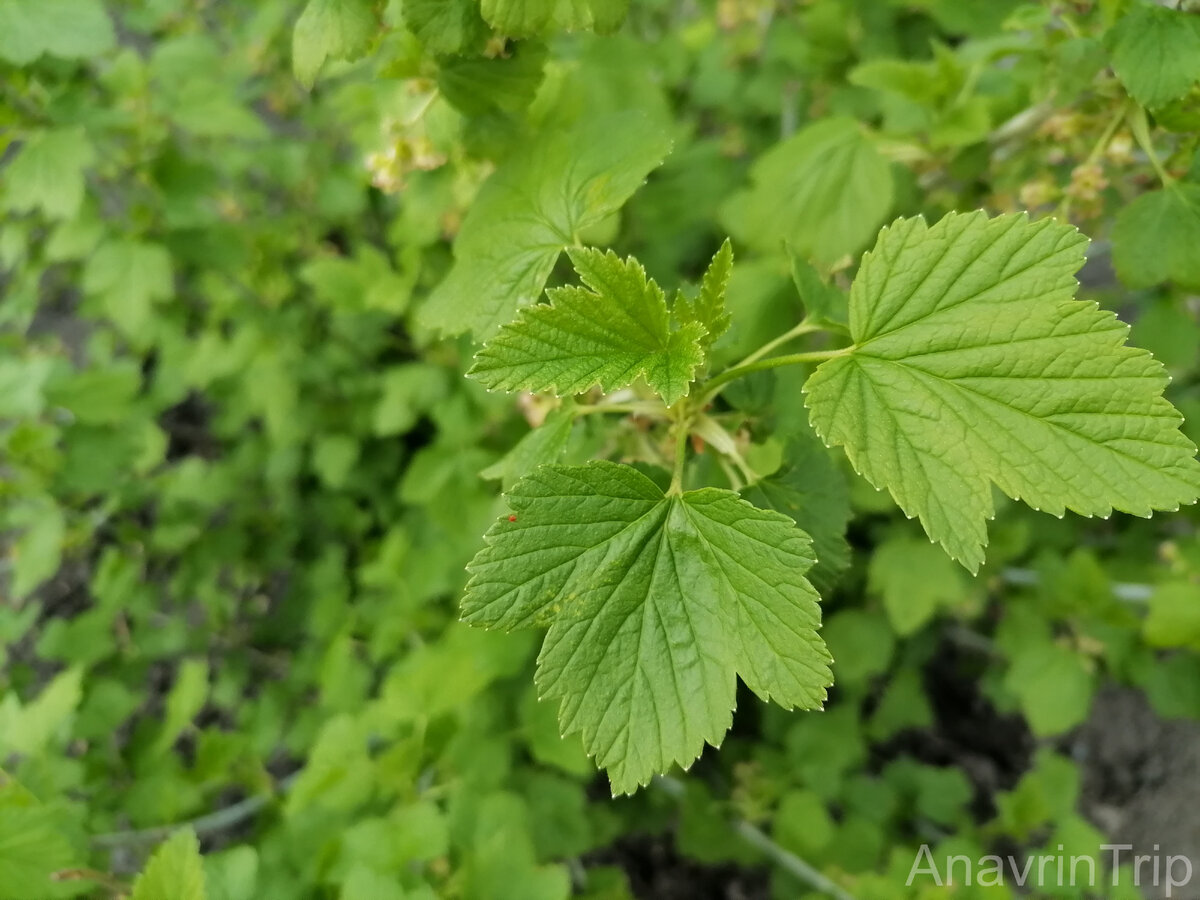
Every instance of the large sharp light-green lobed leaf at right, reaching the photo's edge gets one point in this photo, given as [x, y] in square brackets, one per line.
[973, 365]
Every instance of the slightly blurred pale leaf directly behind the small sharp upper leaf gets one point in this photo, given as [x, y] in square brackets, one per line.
[533, 208]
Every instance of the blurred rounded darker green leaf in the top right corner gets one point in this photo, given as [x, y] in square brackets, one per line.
[1156, 53]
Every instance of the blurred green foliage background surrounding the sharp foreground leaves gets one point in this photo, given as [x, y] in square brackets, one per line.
[242, 471]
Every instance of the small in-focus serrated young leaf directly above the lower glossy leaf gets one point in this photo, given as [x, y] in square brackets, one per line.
[609, 337]
